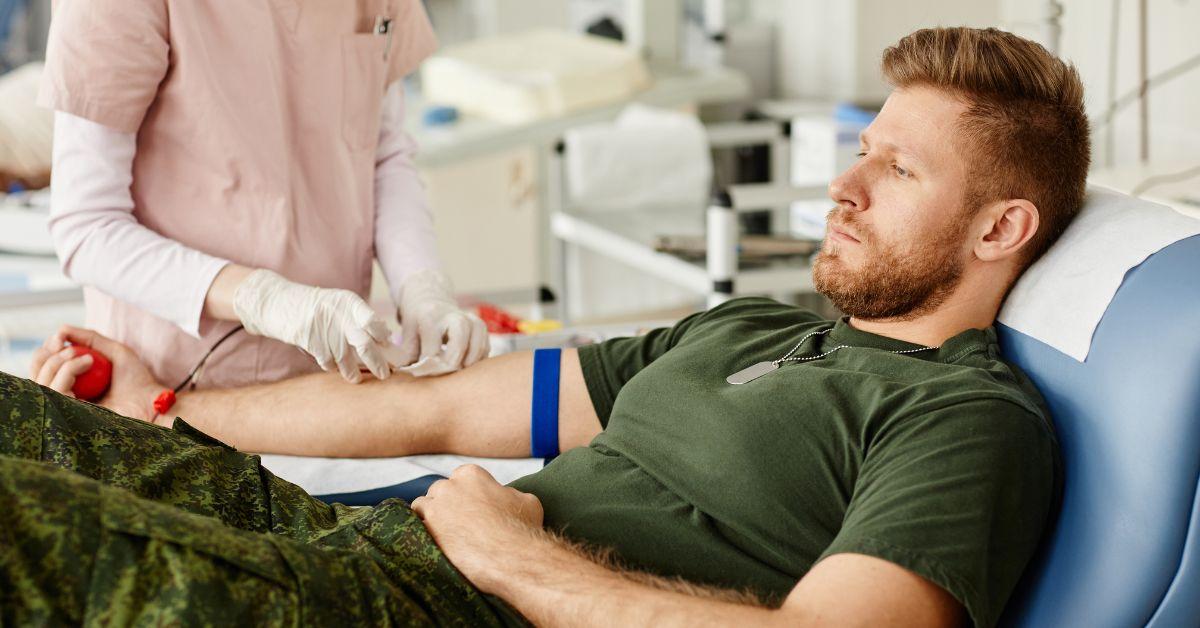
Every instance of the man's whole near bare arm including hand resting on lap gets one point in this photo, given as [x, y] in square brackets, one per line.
[494, 535]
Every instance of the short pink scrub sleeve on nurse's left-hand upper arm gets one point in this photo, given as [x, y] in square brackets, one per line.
[105, 61]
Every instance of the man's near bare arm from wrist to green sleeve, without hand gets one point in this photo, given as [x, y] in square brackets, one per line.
[554, 585]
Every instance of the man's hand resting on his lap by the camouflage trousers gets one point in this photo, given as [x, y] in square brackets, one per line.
[475, 521]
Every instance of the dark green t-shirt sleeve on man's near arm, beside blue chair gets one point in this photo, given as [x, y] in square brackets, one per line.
[959, 495]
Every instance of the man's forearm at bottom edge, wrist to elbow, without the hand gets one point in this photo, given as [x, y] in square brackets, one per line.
[554, 584]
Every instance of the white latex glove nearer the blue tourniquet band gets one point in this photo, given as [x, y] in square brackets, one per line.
[430, 318]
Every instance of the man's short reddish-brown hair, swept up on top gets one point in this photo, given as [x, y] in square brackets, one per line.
[1025, 131]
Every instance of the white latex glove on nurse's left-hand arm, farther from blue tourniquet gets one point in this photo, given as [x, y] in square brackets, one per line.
[333, 326]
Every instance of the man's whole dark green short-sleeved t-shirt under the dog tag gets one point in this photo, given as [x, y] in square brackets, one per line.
[941, 462]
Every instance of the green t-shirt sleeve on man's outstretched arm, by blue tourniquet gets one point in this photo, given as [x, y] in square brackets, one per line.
[610, 364]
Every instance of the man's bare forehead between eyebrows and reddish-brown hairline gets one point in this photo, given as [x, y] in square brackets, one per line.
[920, 122]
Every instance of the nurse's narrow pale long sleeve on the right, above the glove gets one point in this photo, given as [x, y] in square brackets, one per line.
[405, 241]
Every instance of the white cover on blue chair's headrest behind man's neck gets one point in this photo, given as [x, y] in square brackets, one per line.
[1063, 297]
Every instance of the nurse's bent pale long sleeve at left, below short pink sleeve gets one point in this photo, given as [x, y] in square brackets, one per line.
[101, 244]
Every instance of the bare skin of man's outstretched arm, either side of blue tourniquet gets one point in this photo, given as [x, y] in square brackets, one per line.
[481, 411]
